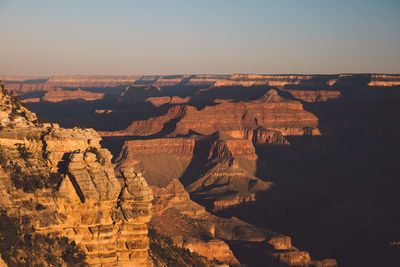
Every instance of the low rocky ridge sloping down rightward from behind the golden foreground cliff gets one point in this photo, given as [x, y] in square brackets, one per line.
[190, 226]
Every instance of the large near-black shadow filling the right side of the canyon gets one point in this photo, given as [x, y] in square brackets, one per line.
[336, 195]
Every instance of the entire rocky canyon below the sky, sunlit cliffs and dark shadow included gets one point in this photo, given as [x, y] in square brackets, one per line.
[244, 168]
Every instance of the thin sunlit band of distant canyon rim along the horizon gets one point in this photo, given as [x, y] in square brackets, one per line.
[291, 81]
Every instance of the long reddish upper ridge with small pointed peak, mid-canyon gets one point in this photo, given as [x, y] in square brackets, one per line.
[271, 112]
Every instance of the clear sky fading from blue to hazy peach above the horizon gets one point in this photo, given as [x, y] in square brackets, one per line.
[54, 37]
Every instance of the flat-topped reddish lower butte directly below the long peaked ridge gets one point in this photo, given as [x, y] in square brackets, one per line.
[219, 170]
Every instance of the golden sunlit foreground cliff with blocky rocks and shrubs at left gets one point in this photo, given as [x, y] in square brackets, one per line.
[63, 183]
